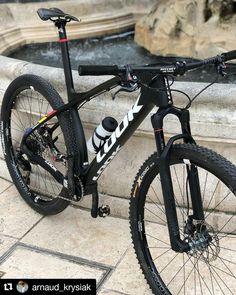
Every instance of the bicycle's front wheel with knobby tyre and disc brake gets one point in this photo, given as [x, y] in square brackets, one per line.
[209, 267]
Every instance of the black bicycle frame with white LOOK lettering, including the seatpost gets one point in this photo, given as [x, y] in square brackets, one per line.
[77, 164]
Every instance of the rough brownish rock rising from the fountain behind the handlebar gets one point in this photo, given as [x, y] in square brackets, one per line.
[188, 28]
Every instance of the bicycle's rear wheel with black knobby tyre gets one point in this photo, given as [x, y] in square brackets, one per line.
[27, 99]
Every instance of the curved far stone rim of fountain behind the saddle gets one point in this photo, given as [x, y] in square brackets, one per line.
[21, 25]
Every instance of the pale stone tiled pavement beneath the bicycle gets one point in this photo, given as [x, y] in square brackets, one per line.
[69, 245]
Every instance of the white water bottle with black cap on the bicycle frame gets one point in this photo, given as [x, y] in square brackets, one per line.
[101, 134]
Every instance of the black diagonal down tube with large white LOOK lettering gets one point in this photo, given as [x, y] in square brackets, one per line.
[123, 132]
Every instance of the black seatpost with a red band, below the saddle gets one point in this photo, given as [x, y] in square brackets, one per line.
[61, 25]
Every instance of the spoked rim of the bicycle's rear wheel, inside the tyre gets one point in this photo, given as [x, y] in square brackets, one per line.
[27, 107]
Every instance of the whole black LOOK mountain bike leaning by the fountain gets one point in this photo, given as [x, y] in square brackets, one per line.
[182, 205]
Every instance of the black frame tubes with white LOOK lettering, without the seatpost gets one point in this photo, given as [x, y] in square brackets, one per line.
[91, 173]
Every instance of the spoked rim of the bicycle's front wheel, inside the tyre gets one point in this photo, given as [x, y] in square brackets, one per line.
[204, 272]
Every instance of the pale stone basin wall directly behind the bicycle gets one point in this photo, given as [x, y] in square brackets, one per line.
[213, 118]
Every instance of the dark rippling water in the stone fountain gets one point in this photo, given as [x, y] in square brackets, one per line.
[116, 49]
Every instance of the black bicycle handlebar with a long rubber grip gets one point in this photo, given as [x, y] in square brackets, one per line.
[179, 68]
